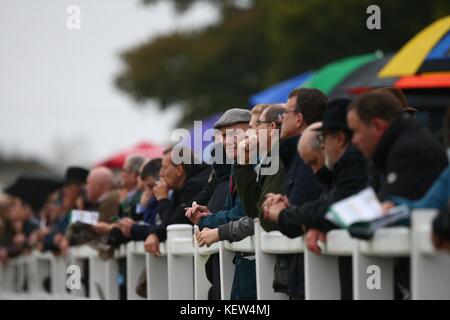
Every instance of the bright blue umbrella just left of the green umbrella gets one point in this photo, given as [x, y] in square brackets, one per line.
[279, 92]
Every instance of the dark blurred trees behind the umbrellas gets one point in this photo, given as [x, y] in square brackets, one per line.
[259, 44]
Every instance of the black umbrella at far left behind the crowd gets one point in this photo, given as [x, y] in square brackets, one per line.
[34, 190]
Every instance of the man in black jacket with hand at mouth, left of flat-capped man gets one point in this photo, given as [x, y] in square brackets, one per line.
[186, 180]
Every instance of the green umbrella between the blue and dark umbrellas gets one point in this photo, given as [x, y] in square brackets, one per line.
[329, 76]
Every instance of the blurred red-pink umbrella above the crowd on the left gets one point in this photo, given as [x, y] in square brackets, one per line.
[144, 149]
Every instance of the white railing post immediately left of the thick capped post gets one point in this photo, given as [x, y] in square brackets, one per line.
[157, 278]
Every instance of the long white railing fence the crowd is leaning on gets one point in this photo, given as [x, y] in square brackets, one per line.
[179, 272]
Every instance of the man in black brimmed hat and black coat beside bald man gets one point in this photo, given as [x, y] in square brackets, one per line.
[347, 175]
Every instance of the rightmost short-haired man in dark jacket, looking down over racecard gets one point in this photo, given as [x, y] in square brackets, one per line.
[408, 157]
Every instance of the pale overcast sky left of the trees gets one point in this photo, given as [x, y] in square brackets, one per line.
[57, 98]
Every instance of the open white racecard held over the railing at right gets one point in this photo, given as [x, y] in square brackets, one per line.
[362, 214]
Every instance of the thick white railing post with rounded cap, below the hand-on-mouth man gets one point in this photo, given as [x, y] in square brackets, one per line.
[180, 261]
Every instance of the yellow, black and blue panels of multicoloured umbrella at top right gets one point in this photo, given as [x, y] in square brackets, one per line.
[428, 51]
